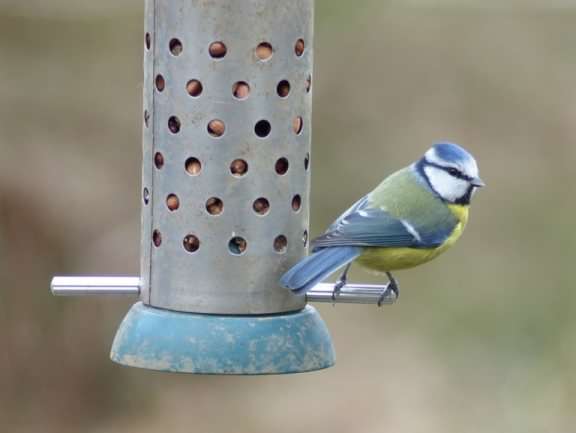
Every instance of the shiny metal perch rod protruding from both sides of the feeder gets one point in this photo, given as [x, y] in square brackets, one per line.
[78, 286]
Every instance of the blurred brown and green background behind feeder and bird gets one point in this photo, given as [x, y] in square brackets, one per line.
[483, 339]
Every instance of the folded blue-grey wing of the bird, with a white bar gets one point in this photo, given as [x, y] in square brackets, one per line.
[364, 226]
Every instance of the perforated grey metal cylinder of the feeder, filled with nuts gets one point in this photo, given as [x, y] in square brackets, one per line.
[226, 153]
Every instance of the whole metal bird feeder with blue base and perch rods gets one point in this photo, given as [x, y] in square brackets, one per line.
[225, 195]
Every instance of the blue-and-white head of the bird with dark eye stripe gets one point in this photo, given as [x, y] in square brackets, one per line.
[451, 172]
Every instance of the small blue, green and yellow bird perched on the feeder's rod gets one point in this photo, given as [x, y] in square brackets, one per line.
[410, 218]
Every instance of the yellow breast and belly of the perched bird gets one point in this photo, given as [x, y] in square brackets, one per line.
[390, 259]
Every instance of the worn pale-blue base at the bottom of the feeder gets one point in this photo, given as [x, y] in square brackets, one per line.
[200, 343]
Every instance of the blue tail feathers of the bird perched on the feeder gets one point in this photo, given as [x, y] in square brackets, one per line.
[316, 267]
